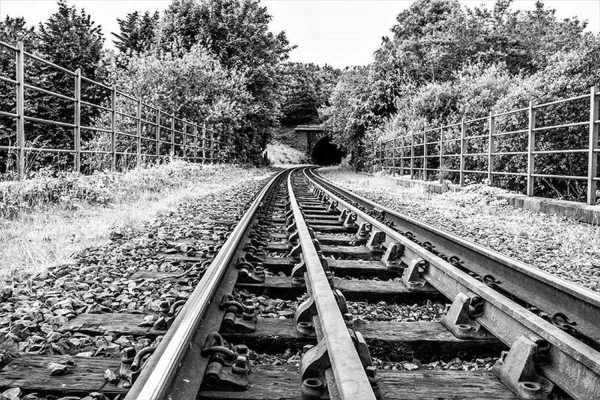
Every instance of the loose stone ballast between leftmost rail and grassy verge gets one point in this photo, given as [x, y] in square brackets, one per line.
[33, 309]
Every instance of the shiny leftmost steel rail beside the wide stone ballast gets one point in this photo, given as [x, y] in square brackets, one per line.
[156, 377]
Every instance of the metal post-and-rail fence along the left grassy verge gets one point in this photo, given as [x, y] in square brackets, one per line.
[109, 127]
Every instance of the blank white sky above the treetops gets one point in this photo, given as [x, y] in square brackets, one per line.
[336, 32]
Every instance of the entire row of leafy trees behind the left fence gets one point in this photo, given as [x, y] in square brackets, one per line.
[211, 62]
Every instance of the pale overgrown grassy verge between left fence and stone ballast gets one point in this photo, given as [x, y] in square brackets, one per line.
[45, 220]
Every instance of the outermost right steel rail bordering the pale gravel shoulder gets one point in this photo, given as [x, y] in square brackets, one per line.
[538, 288]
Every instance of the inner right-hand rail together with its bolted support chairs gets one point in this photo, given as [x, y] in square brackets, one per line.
[536, 344]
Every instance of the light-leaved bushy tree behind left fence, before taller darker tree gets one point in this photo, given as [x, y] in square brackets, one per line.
[195, 87]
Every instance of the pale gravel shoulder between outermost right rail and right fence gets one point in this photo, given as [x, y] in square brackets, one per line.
[561, 246]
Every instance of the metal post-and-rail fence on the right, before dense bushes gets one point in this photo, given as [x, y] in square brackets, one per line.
[546, 149]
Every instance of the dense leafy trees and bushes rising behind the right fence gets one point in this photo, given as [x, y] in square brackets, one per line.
[444, 61]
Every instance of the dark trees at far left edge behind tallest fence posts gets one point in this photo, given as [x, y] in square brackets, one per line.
[69, 38]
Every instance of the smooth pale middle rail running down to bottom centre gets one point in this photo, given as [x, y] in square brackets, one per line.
[350, 377]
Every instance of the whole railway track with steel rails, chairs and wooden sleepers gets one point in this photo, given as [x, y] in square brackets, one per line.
[323, 255]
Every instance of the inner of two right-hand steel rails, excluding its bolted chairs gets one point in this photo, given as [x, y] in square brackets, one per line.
[573, 366]
